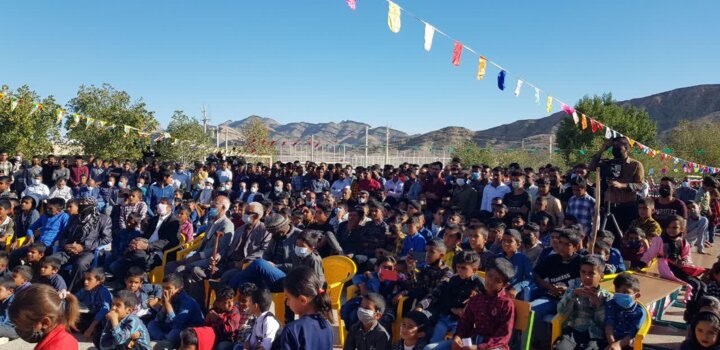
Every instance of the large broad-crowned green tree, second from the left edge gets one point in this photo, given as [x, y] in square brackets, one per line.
[114, 107]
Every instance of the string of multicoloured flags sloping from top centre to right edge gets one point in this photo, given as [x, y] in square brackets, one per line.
[394, 19]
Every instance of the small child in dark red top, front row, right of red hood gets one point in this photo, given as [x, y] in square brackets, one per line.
[224, 319]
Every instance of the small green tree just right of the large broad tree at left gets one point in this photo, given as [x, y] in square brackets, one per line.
[189, 141]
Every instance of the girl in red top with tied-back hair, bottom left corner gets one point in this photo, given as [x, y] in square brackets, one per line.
[41, 305]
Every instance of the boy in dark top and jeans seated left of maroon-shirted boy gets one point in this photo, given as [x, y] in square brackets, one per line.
[449, 298]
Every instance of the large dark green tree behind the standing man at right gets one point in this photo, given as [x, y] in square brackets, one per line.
[579, 145]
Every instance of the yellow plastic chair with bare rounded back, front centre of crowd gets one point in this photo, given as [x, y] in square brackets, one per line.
[338, 270]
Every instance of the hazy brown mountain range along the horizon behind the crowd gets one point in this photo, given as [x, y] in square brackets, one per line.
[667, 109]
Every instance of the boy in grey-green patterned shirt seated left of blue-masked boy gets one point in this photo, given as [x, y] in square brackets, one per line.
[584, 306]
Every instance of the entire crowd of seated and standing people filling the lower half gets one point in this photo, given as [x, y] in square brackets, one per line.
[418, 234]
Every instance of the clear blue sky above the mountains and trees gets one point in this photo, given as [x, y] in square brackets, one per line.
[318, 61]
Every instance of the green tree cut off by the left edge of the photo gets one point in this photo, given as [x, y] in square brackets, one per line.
[25, 132]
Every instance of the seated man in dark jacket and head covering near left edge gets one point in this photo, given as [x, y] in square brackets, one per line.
[86, 231]
